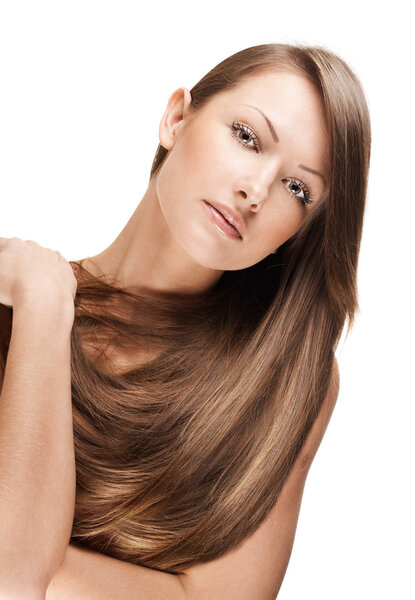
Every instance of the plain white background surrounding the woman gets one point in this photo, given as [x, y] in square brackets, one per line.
[83, 88]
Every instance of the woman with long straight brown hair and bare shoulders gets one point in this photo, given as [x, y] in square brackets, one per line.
[202, 340]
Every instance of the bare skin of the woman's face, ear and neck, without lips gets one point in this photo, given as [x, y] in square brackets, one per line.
[170, 244]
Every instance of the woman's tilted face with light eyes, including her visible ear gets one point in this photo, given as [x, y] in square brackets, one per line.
[255, 149]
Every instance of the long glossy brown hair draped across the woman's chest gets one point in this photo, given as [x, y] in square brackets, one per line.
[181, 458]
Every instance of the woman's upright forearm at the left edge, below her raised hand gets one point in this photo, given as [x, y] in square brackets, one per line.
[37, 464]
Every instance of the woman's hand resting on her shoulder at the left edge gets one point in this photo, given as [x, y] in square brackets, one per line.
[26, 268]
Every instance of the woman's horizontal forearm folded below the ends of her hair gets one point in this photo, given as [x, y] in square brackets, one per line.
[93, 576]
